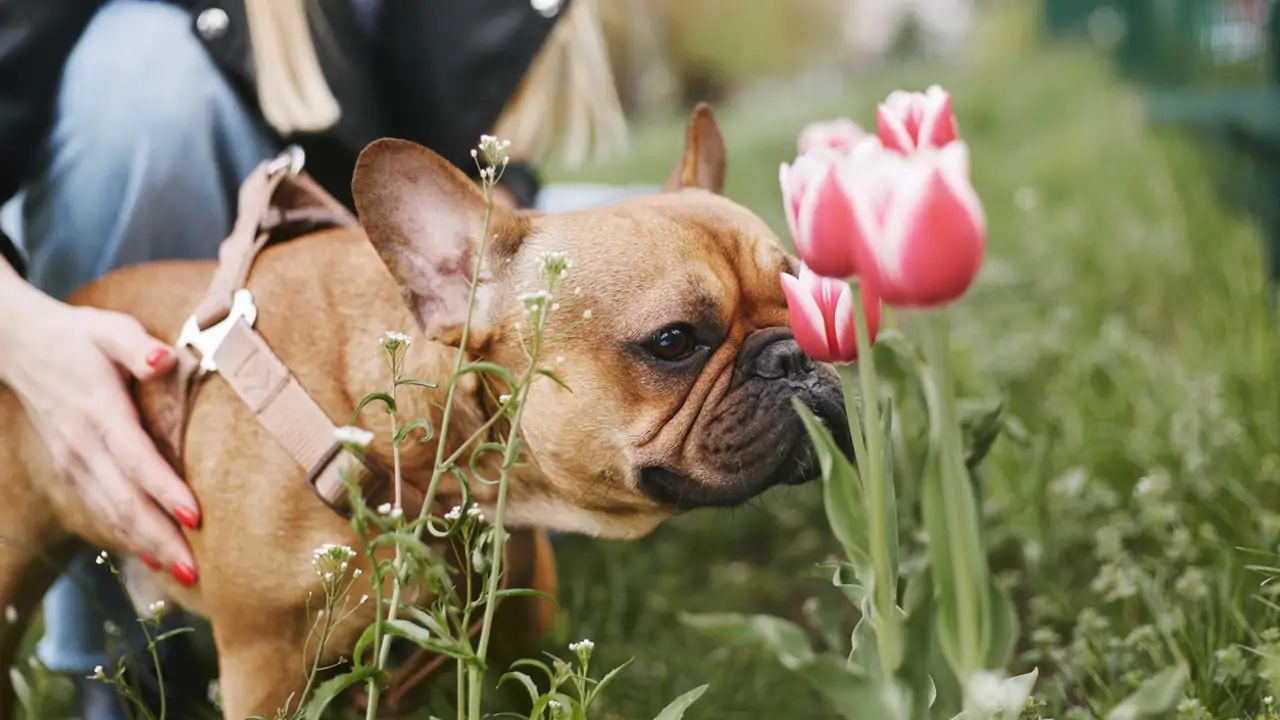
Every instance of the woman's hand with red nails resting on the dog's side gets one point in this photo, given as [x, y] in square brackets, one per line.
[68, 367]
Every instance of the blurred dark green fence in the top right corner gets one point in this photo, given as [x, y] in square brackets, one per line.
[1212, 67]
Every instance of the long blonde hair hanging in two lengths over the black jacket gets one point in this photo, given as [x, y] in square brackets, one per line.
[568, 98]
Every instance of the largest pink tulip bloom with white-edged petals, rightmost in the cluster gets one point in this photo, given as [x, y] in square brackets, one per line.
[921, 230]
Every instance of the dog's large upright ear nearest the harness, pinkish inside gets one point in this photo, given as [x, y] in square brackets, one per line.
[426, 218]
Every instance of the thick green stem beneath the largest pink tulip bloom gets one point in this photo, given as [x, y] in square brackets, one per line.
[959, 500]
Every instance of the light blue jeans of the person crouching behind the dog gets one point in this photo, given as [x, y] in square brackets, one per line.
[148, 151]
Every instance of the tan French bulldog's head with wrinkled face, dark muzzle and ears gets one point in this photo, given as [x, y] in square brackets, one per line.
[683, 376]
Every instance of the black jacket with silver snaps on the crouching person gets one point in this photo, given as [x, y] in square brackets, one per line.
[437, 72]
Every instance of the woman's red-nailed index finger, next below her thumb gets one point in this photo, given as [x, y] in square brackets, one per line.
[141, 464]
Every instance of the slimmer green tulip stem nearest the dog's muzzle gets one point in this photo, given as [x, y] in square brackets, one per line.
[885, 593]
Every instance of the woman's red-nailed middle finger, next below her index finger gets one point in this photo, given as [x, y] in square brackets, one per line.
[135, 522]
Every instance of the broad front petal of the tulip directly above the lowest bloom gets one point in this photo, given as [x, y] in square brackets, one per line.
[826, 226]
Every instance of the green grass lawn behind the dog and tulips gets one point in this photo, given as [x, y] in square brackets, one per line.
[1122, 316]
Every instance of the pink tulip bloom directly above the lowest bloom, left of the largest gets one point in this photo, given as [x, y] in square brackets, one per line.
[819, 215]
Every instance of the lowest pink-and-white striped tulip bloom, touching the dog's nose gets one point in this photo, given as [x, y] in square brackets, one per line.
[822, 316]
